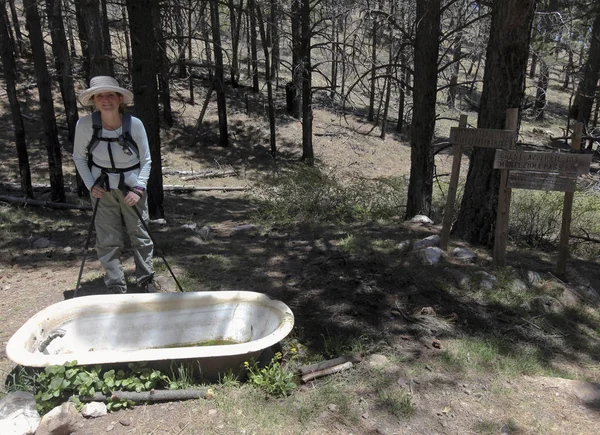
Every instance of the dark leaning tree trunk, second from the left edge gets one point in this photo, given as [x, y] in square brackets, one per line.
[57, 189]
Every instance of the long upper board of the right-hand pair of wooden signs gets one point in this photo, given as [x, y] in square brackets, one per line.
[561, 163]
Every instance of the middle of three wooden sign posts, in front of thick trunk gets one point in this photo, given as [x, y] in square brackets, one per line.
[504, 194]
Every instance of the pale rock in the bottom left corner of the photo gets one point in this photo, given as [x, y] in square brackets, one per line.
[18, 415]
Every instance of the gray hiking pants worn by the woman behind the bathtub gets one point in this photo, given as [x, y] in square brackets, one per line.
[113, 218]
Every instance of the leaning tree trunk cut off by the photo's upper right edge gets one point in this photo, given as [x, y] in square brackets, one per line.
[586, 92]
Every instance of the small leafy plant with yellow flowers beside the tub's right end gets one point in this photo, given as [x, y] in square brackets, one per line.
[275, 378]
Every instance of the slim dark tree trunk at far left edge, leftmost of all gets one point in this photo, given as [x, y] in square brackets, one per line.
[9, 68]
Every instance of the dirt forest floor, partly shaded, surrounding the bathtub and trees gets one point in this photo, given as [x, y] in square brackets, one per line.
[477, 362]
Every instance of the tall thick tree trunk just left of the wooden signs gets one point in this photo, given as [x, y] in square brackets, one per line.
[420, 187]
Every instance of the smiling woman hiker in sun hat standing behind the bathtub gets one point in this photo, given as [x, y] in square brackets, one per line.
[112, 156]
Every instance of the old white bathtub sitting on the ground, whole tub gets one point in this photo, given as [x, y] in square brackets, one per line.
[156, 328]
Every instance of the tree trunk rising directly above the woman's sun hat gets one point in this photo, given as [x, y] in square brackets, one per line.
[98, 41]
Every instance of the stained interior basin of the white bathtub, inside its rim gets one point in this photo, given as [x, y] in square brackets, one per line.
[124, 327]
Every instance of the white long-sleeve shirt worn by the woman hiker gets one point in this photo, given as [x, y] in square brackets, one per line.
[133, 178]
